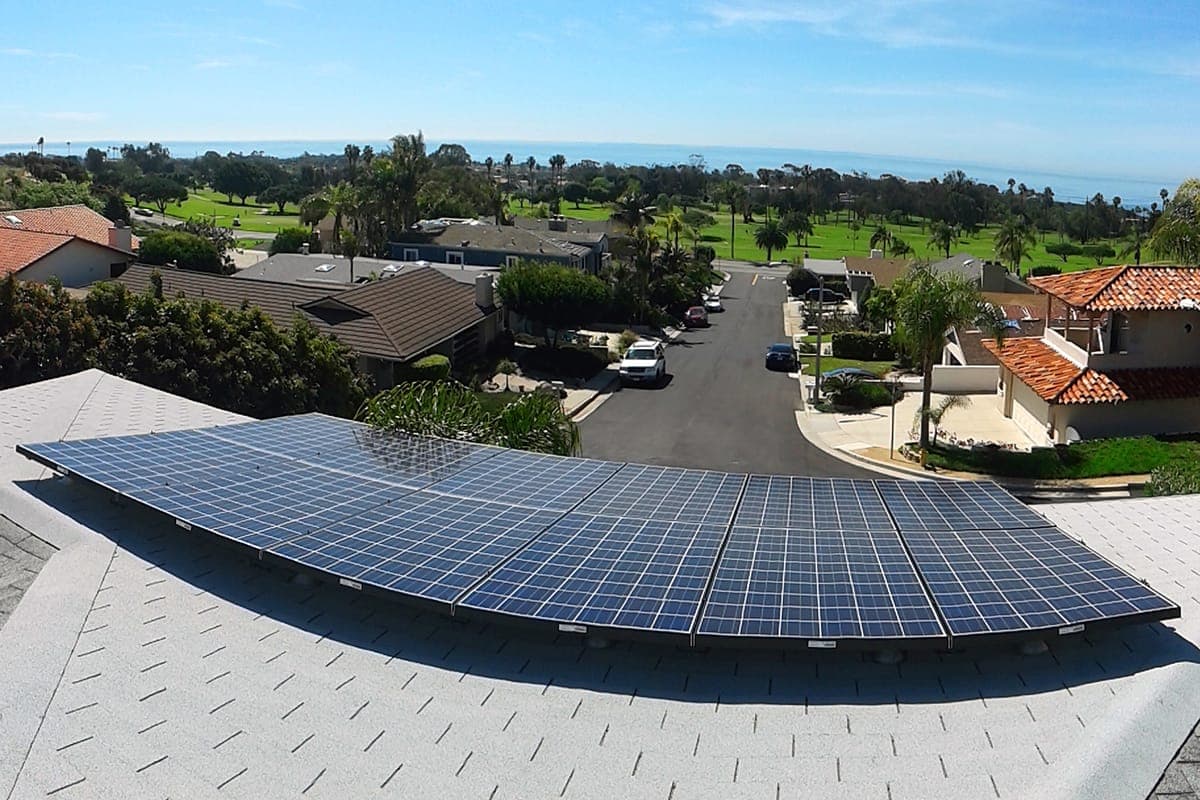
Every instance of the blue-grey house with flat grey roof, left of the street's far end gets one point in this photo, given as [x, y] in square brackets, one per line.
[487, 245]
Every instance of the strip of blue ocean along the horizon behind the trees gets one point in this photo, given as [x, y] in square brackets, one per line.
[1069, 188]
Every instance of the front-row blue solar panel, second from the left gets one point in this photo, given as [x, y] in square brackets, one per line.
[424, 545]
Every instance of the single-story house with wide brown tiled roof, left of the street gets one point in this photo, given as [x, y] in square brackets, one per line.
[387, 323]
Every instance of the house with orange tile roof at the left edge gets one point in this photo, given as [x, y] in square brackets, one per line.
[76, 262]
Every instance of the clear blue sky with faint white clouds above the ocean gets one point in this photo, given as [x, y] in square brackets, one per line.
[1097, 88]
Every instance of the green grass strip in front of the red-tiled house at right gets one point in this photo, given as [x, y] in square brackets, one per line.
[1096, 459]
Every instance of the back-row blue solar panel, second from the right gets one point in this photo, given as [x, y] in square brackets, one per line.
[813, 504]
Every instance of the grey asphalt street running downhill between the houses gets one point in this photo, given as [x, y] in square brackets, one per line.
[722, 410]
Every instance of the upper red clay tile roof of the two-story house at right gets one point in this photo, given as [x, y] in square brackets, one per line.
[1125, 288]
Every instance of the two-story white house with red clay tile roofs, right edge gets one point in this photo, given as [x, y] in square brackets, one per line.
[1120, 356]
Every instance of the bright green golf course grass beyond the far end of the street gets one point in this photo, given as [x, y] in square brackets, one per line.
[836, 240]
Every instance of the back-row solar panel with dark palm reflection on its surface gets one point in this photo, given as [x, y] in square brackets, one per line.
[356, 449]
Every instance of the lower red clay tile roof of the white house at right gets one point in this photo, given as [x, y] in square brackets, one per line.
[1057, 380]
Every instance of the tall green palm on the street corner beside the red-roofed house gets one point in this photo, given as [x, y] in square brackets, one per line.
[927, 306]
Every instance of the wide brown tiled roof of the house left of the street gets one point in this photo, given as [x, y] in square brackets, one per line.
[394, 320]
